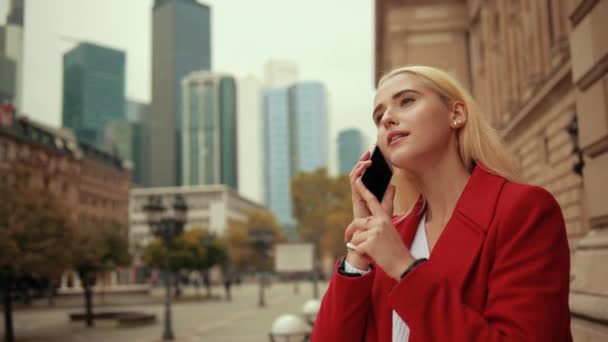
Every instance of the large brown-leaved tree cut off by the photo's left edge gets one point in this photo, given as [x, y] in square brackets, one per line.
[34, 228]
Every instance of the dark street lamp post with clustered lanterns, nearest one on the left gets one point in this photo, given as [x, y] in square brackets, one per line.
[166, 227]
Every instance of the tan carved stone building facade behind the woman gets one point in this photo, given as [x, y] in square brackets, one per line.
[539, 70]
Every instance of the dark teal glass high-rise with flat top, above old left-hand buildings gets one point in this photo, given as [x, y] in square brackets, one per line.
[93, 90]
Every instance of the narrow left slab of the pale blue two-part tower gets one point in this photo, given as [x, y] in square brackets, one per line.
[277, 154]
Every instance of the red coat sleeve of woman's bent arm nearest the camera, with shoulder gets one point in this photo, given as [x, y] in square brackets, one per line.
[527, 298]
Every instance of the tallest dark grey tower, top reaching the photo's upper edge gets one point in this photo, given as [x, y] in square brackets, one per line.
[181, 44]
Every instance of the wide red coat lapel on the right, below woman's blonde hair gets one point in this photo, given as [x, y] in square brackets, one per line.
[459, 244]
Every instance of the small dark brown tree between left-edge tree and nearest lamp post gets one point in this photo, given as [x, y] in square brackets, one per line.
[98, 248]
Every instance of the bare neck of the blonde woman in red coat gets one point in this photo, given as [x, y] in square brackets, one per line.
[441, 186]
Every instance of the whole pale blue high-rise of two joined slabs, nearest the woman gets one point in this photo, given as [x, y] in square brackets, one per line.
[295, 140]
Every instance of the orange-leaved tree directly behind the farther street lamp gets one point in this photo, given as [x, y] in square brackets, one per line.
[241, 253]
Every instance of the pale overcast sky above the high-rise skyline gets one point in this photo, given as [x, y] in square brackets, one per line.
[330, 41]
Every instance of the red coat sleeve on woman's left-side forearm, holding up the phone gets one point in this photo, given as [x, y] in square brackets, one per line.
[344, 309]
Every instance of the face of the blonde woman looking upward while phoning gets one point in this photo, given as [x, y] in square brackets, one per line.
[415, 128]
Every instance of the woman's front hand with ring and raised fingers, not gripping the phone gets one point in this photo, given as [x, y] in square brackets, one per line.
[375, 236]
